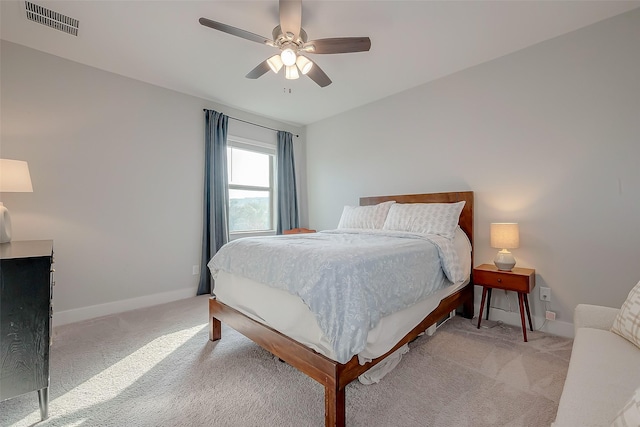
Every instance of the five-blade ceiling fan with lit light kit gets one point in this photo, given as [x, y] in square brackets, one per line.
[292, 41]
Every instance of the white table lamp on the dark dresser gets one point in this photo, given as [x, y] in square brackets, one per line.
[14, 178]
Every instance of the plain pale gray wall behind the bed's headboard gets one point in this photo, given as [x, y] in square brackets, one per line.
[548, 137]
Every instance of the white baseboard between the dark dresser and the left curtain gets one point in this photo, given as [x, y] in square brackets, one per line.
[99, 310]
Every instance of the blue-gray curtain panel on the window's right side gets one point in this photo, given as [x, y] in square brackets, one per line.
[288, 217]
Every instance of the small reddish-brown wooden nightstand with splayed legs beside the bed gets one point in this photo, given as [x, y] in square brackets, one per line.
[520, 280]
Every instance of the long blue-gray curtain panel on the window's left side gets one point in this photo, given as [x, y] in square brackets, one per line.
[215, 231]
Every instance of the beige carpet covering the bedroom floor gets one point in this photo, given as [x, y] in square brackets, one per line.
[156, 367]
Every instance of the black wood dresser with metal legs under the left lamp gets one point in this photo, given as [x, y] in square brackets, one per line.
[26, 288]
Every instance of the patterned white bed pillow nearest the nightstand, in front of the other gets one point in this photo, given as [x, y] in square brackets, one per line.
[426, 218]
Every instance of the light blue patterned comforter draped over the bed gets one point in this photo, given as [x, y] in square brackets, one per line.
[349, 279]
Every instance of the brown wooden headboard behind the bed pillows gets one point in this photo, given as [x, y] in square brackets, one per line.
[466, 217]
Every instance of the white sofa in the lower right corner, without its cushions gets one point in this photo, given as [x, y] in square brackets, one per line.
[604, 371]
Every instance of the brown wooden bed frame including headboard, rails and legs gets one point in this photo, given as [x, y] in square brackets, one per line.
[332, 375]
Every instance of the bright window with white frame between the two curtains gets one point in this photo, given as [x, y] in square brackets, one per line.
[251, 185]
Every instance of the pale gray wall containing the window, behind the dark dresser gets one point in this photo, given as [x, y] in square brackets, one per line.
[117, 171]
